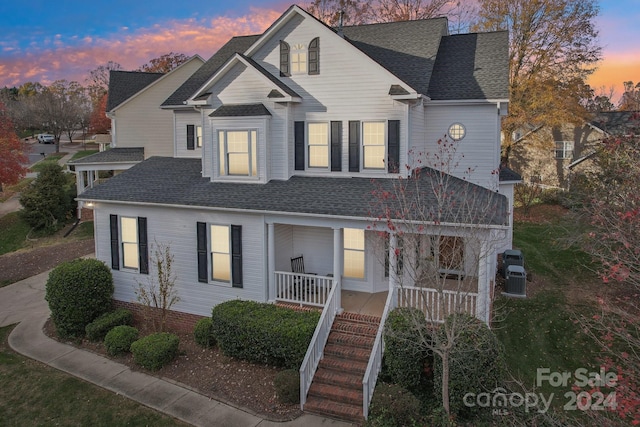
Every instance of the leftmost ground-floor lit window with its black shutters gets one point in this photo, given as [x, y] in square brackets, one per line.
[129, 243]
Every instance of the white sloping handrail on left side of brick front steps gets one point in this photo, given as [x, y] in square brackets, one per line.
[315, 350]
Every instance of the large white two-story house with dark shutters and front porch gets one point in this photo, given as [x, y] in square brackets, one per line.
[280, 140]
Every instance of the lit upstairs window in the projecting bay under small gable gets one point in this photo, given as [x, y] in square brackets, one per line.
[238, 152]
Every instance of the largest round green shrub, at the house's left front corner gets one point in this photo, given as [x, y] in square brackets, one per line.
[78, 292]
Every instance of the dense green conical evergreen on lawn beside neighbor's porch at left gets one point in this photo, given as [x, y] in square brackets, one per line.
[47, 202]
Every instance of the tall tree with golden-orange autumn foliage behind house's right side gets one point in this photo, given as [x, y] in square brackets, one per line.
[553, 49]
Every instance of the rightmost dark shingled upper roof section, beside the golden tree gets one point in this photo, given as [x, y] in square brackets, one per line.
[471, 66]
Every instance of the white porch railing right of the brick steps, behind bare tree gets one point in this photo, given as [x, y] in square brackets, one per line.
[437, 304]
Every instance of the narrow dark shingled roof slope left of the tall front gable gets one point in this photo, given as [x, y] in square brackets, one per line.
[208, 69]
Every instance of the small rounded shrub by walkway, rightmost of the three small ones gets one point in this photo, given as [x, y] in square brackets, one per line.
[155, 350]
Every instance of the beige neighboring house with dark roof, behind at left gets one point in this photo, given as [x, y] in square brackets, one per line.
[139, 127]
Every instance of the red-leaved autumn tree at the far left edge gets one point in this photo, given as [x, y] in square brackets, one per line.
[12, 157]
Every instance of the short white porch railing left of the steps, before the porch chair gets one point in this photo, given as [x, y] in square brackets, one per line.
[307, 289]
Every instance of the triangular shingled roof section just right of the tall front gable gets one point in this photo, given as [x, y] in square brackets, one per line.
[407, 49]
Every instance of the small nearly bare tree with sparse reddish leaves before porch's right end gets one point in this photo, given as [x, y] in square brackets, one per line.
[443, 231]
